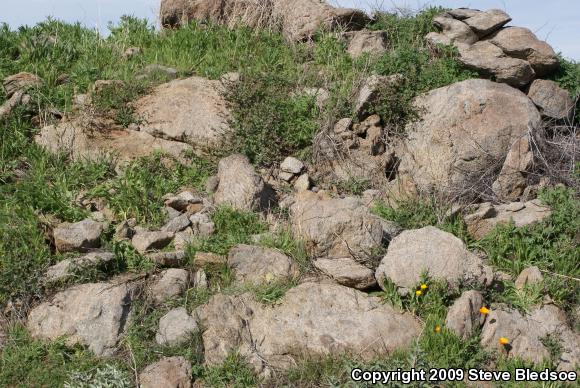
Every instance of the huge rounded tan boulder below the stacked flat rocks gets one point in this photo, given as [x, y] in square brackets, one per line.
[483, 119]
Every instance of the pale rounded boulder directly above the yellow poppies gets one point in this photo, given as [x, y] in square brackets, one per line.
[440, 254]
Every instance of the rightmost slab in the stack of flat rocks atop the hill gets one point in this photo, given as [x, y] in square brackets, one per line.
[519, 42]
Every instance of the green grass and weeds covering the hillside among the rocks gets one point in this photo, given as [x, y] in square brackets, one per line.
[271, 119]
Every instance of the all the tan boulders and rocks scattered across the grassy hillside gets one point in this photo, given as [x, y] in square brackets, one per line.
[352, 250]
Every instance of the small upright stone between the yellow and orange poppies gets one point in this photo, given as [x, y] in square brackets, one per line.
[464, 317]
